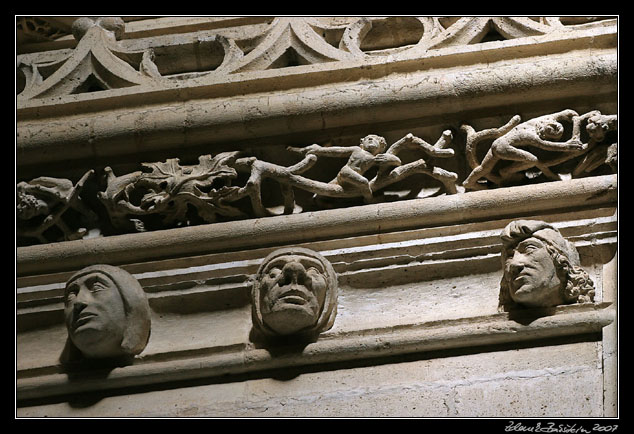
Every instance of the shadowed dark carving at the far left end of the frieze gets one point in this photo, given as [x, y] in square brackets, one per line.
[50, 209]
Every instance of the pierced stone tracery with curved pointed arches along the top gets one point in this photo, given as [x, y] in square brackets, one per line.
[99, 62]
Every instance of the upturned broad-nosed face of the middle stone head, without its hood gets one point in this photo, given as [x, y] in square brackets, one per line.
[292, 290]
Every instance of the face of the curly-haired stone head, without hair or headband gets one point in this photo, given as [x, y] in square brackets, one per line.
[531, 274]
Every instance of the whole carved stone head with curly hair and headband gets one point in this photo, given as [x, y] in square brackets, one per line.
[541, 268]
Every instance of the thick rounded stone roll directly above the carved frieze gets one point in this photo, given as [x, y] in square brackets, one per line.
[308, 113]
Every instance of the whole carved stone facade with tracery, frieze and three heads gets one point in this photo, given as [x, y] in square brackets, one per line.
[316, 217]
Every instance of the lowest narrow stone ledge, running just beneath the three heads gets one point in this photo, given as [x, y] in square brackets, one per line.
[416, 338]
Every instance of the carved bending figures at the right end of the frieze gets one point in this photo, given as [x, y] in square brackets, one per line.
[508, 160]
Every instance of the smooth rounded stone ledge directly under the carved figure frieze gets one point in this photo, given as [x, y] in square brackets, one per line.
[320, 225]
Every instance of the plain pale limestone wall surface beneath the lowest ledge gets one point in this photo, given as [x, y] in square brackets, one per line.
[532, 382]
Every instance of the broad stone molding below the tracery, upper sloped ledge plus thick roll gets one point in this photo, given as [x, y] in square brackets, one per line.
[213, 117]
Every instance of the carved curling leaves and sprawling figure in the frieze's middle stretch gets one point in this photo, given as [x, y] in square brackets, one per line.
[172, 191]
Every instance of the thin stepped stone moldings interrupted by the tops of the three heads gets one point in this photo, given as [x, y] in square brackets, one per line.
[347, 254]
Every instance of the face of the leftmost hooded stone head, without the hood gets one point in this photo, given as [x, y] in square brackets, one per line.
[95, 315]
